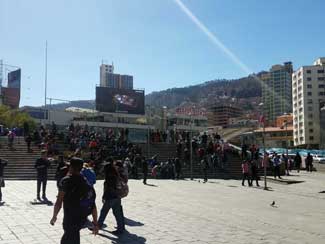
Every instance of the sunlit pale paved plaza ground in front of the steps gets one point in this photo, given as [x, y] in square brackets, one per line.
[220, 211]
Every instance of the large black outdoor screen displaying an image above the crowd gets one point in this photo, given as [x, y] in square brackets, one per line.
[119, 100]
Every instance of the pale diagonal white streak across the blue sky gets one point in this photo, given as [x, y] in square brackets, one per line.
[212, 36]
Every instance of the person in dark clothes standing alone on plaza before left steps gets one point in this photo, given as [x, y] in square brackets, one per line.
[41, 166]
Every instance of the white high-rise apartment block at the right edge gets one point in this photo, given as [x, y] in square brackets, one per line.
[308, 95]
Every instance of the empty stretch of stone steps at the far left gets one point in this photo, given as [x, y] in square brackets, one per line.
[20, 162]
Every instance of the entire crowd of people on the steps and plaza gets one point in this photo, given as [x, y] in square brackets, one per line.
[109, 153]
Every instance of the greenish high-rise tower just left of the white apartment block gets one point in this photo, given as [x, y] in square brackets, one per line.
[276, 91]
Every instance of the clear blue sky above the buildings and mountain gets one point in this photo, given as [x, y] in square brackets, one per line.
[153, 40]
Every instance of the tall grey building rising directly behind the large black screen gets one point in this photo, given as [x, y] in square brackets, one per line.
[109, 79]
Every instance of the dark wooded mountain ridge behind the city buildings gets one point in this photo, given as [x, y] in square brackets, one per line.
[242, 91]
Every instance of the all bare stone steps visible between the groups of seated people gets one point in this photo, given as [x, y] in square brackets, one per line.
[21, 163]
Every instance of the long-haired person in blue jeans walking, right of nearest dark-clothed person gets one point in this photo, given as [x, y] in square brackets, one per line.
[111, 199]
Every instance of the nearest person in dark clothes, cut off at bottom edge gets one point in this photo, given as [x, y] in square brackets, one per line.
[74, 194]
